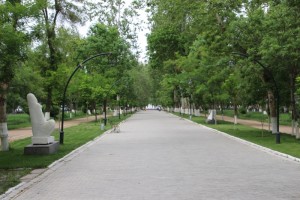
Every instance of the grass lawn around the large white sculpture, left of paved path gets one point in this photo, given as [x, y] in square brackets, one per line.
[14, 164]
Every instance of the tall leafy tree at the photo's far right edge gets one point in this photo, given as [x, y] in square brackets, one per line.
[280, 48]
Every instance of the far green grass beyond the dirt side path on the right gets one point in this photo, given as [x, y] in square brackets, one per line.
[285, 118]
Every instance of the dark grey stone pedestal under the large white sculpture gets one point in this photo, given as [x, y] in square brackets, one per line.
[41, 149]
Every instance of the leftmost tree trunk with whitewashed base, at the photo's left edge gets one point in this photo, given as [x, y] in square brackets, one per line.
[3, 118]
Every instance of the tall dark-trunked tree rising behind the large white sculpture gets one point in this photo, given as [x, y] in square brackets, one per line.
[52, 15]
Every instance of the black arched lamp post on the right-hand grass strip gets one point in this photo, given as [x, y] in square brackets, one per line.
[276, 92]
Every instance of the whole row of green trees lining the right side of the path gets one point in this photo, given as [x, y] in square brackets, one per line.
[191, 48]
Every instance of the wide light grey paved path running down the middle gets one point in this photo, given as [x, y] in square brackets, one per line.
[158, 156]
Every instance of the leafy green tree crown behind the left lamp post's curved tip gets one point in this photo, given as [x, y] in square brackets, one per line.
[106, 72]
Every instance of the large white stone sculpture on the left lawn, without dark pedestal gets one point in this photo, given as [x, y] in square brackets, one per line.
[41, 128]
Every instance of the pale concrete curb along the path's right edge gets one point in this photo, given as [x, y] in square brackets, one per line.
[256, 146]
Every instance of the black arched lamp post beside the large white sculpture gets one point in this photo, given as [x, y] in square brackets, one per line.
[61, 134]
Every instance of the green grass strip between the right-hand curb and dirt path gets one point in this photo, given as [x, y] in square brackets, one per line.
[289, 145]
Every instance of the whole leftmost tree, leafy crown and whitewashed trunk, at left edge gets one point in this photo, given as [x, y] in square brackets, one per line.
[12, 47]
